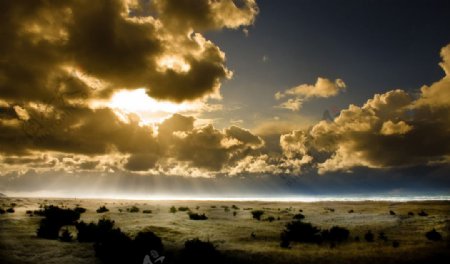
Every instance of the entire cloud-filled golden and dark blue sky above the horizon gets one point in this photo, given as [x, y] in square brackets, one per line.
[224, 98]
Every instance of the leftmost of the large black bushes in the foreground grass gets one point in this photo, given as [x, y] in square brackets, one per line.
[55, 218]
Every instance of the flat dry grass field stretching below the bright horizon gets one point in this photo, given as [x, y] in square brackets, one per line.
[238, 237]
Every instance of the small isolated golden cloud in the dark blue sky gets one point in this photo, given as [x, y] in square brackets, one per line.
[323, 88]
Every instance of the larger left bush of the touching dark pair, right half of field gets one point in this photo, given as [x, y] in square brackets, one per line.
[301, 232]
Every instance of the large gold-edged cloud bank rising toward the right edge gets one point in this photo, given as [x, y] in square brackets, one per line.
[391, 130]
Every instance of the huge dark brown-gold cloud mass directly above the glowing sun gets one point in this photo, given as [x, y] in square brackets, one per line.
[45, 43]
